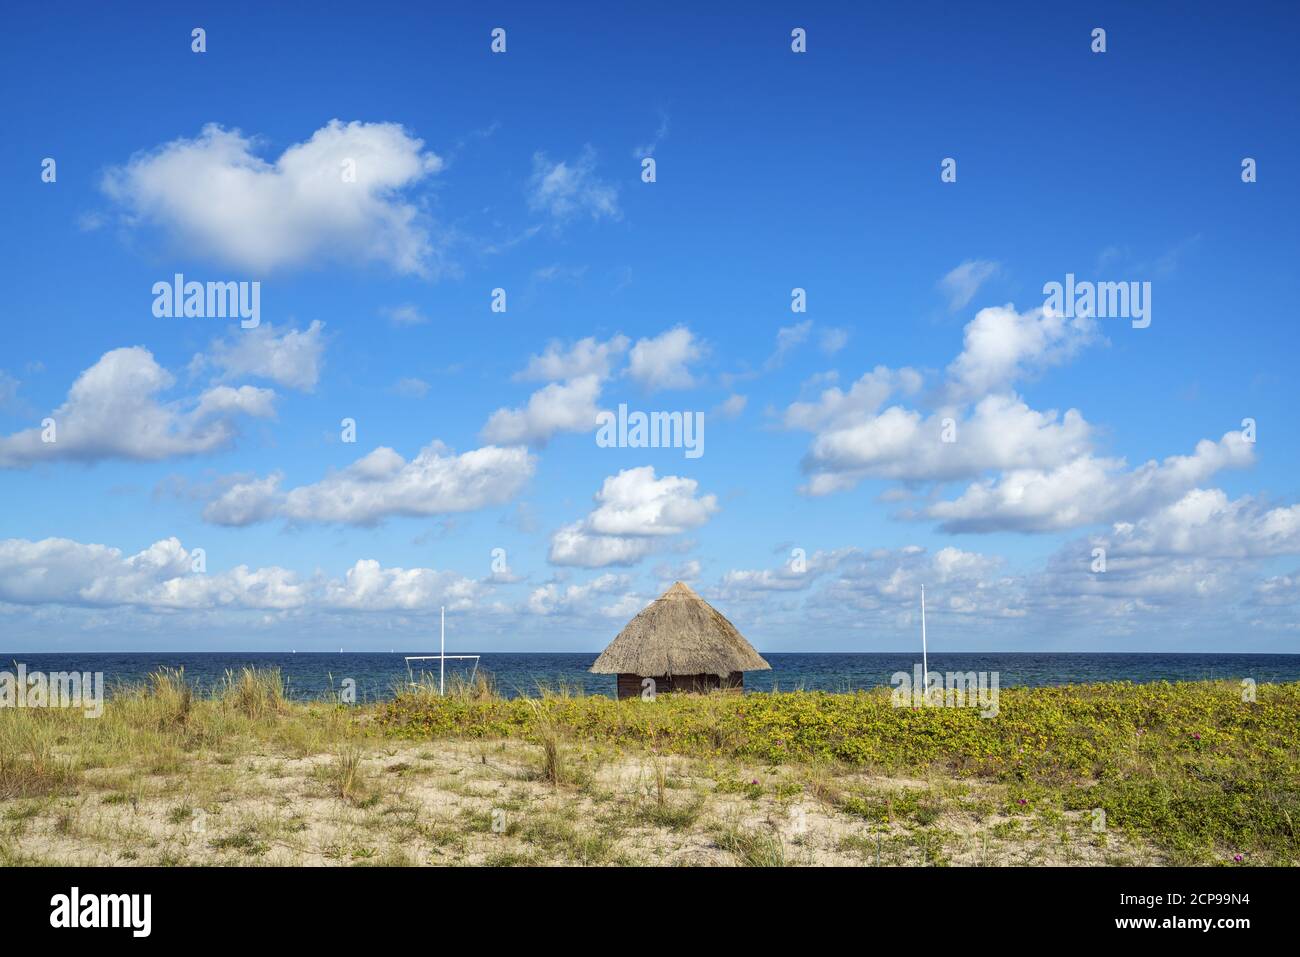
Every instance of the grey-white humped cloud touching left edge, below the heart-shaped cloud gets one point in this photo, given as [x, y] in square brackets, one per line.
[114, 412]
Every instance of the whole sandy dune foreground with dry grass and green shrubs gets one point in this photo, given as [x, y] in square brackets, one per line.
[1175, 773]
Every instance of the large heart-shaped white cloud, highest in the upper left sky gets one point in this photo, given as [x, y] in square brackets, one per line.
[218, 197]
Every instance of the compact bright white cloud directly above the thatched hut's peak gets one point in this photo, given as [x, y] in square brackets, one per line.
[635, 514]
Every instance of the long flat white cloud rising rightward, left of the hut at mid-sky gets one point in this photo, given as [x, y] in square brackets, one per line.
[382, 486]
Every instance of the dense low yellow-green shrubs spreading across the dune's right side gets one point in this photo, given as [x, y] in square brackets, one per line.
[1190, 767]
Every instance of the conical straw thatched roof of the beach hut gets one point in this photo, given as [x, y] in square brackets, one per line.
[679, 634]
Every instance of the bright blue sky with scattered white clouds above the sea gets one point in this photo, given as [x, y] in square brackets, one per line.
[825, 495]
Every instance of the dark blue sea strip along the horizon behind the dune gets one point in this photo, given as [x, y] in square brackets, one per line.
[376, 674]
